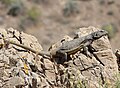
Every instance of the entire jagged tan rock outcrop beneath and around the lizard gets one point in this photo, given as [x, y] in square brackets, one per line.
[20, 68]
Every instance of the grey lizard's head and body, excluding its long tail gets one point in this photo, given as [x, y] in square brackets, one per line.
[75, 45]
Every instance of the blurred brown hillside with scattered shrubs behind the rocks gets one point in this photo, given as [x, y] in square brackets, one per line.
[50, 20]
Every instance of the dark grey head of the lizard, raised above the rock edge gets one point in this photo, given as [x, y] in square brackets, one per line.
[99, 34]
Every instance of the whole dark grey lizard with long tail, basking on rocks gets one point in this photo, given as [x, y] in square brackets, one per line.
[68, 47]
